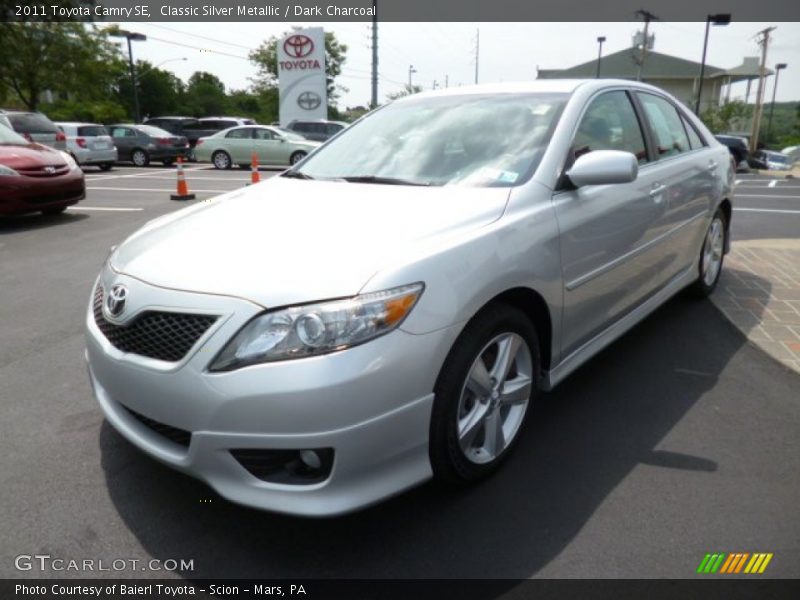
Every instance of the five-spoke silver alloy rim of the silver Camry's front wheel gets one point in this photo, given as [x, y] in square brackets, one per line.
[494, 398]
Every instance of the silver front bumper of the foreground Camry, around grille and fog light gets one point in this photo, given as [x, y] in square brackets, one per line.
[370, 403]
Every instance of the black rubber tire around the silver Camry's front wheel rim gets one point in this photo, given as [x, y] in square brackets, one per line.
[449, 461]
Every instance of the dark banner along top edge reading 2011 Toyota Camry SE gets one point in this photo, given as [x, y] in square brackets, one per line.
[393, 10]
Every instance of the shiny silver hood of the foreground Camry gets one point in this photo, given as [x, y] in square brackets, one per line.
[286, 241]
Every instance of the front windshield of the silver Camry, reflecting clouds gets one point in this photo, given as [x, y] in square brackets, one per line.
[474, 140]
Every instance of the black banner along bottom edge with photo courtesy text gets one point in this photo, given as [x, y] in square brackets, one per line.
[408, 589]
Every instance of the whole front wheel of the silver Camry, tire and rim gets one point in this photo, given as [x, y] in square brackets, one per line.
[482, 395]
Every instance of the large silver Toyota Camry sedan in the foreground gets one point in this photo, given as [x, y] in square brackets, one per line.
[387, 310]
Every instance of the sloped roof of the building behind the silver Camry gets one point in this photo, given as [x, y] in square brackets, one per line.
[623, 65]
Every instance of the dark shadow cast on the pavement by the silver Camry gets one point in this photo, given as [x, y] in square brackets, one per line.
[580, 442]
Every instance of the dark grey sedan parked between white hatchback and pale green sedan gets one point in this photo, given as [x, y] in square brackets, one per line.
[141, 144]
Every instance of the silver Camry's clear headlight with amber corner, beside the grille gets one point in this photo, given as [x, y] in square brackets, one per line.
[313, 329]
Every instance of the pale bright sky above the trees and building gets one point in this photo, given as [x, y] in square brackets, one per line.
[445, 52]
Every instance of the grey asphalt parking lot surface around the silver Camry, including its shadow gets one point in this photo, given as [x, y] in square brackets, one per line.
[678, 440]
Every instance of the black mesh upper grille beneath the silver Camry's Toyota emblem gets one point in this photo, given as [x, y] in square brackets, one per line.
[156, 334]
